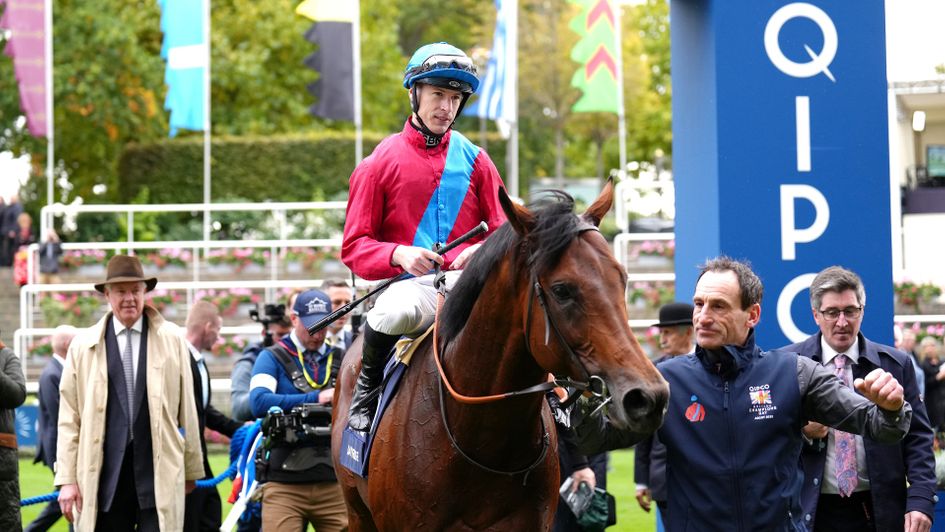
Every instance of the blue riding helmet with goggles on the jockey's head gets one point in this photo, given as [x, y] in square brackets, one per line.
[443, 65]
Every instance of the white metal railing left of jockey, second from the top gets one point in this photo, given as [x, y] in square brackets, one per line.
[196, 246]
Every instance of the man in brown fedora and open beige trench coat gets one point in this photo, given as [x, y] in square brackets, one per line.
[129, 445]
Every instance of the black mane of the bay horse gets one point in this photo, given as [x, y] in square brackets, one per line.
[555, 226]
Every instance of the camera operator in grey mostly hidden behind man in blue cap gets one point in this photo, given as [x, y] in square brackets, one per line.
[275, 325]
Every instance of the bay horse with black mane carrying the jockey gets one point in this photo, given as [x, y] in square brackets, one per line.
[543, 295]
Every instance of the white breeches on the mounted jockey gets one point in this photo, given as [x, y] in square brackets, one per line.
[408, 307]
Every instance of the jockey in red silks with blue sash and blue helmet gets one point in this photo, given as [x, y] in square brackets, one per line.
[427, 184]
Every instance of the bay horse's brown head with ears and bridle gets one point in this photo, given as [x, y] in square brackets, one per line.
[576, 325]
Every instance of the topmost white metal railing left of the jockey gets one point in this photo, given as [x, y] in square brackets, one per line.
[48, 212]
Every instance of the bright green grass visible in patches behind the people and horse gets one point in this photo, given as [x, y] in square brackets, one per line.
[36, 479]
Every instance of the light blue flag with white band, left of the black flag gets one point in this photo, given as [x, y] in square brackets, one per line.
[185, 51]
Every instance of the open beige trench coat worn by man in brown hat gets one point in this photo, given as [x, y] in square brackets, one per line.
[84, 394]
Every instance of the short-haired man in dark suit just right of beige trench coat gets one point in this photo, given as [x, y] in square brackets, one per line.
[202, 506]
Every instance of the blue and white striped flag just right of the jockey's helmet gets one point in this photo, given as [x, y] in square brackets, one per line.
[497, 93]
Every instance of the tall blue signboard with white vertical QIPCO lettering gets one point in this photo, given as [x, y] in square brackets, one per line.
[780, 150]
